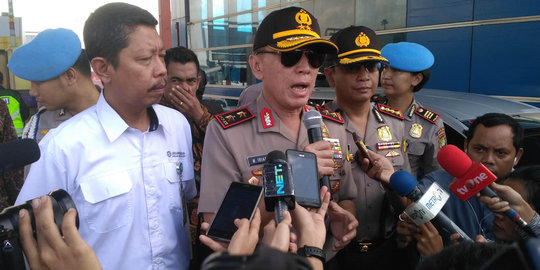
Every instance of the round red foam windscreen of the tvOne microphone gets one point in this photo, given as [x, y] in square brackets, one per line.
[454, 161]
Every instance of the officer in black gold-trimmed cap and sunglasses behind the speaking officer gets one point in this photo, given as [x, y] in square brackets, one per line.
[355, 75]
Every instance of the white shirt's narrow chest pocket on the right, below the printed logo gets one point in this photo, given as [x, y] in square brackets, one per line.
[174, 184]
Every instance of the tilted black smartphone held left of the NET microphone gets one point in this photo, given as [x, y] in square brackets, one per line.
[240, 201]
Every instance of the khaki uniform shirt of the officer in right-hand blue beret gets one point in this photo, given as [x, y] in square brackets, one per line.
[425, 137]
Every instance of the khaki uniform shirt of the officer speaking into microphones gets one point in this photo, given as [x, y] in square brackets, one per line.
[236, 153]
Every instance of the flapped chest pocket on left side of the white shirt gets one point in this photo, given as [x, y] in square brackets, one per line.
[108, 201]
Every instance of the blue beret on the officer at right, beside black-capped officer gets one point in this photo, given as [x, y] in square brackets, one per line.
[408, 56]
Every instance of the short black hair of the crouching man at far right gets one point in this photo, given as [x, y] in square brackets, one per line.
[498, 119]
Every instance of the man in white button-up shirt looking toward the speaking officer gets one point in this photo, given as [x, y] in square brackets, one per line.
[126, 162]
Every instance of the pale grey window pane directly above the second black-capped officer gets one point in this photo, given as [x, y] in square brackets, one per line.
[381, 14]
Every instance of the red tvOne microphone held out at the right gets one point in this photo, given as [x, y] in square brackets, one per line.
[471, 178]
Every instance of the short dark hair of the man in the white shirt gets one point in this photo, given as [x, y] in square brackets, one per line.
[107, 29]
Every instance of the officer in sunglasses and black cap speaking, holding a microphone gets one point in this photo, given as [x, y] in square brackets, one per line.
[287, 53]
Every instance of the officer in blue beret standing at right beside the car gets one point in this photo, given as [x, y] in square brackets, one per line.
[408, 72]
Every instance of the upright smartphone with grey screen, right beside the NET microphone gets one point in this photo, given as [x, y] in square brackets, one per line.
[305, 177]
